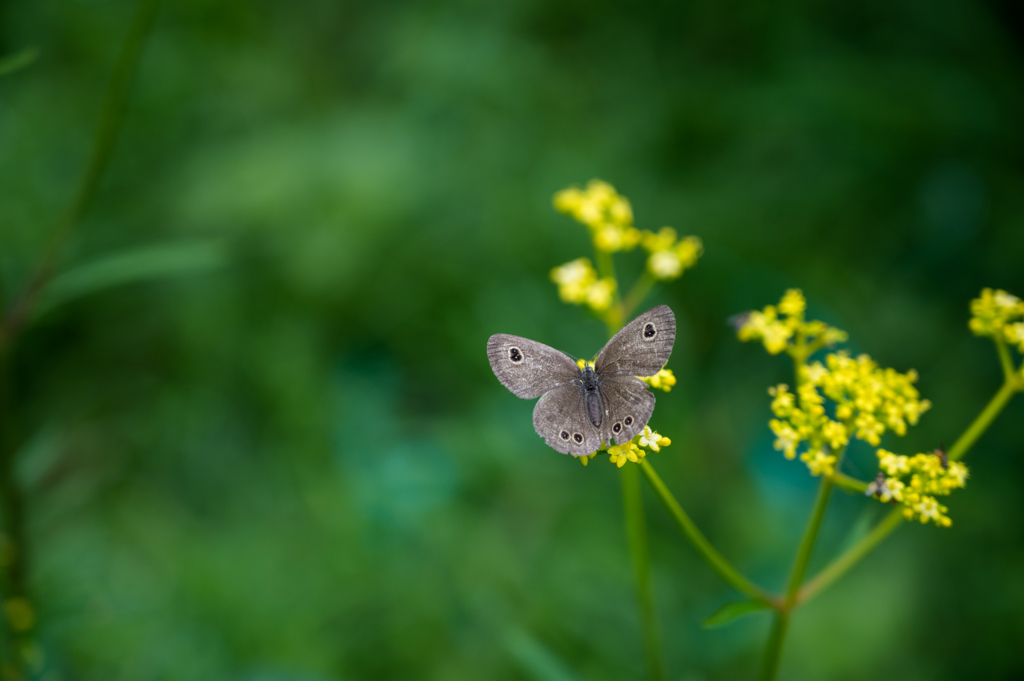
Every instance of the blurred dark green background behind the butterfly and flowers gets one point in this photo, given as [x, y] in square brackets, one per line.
[286, 458]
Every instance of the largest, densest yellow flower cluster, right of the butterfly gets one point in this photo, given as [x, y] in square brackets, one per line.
[868, 402]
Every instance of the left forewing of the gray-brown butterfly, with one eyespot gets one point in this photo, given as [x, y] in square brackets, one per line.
[527, 368]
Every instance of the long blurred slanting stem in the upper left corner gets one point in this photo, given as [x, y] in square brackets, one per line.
[112, 113]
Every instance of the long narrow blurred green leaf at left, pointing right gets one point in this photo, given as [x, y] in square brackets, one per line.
[141, 265]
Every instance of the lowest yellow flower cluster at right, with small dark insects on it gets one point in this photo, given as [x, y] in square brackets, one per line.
[916, 482]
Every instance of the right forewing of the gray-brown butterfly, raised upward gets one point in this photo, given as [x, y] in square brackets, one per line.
[642, 348]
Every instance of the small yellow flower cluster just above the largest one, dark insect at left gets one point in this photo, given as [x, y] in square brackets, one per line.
[779, 327]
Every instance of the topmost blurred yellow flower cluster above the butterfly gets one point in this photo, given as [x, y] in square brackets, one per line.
[607, 215]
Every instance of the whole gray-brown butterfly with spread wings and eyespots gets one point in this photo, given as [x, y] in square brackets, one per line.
[580, 409]
